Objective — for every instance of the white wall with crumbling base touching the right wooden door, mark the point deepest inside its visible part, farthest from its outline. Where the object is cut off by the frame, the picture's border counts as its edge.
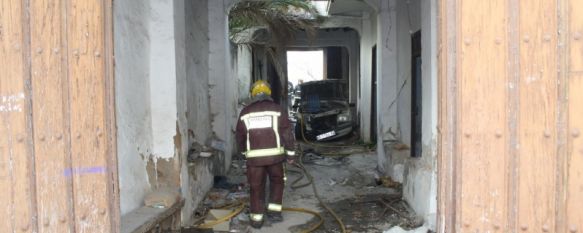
(418, 175)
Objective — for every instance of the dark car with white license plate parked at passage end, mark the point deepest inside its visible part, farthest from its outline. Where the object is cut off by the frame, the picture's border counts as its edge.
(323, 111)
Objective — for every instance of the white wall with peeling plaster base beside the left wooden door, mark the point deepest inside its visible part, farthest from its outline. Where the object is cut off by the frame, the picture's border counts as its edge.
(148, 70)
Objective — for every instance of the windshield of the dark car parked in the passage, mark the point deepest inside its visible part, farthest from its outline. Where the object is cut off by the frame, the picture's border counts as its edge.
(324, 90)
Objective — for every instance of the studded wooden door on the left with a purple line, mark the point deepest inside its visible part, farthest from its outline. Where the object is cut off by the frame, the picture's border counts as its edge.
(58, 170)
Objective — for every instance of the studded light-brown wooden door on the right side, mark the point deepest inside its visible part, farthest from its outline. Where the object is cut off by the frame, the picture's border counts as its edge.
(511, 97)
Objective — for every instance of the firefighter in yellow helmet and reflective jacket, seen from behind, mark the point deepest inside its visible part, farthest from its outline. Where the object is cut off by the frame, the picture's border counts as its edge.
(264, 136)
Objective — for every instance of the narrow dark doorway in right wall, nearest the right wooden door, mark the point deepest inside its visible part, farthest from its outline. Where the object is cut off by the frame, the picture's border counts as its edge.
(416, 89)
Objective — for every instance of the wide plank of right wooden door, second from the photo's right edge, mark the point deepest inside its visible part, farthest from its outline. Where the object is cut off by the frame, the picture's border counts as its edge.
(536, 159)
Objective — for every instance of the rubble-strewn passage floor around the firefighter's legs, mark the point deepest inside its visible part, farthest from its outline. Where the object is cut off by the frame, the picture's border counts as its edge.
(349, 185)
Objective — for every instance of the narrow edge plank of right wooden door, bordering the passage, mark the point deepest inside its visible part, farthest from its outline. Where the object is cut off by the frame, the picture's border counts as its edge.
(447, 116)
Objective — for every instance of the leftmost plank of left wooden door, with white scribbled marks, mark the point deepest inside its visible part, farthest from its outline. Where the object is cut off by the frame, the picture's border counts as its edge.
(16, 153)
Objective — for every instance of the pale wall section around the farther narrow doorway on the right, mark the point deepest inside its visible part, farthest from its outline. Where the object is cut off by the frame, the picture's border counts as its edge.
(379, 29)
